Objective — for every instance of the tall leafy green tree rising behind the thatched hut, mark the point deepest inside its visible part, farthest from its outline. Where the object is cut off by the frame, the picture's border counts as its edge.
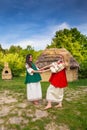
(75, 43)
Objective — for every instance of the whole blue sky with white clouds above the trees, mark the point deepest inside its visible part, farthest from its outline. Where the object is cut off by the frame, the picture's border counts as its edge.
(34, 22)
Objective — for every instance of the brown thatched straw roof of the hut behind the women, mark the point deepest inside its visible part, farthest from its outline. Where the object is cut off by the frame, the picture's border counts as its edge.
(51, 55)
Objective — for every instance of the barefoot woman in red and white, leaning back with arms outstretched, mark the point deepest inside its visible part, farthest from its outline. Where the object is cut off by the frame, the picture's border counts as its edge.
(58, 82)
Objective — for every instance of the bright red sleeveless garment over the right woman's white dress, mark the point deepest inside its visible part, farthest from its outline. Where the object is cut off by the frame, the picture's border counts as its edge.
(59, 79)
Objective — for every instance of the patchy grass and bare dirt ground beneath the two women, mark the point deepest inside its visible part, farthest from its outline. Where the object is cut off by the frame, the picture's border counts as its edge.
(16, 113)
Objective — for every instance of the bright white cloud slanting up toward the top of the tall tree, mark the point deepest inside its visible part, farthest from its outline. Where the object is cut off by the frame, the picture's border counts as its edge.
(41, 41)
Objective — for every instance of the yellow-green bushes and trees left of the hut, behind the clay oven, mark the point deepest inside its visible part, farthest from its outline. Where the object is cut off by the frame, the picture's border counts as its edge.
(16, 56)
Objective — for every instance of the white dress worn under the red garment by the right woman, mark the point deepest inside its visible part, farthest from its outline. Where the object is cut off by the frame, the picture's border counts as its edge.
(55, 94)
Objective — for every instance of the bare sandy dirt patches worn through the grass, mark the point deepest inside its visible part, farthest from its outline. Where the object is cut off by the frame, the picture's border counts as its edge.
(16, 110)
